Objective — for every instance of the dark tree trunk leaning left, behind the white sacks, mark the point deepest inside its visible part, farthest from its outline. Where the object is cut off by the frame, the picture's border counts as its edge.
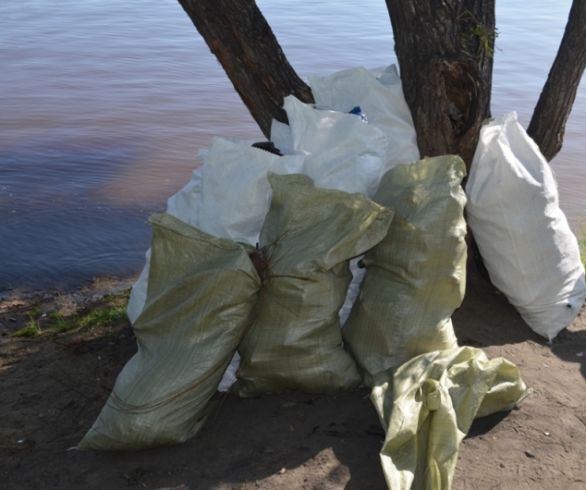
(244, 44)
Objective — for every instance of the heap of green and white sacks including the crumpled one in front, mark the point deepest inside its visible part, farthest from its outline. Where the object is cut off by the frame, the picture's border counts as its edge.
(254, 257)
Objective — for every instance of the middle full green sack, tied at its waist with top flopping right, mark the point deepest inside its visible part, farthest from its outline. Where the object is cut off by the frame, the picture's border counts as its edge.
(308, 236)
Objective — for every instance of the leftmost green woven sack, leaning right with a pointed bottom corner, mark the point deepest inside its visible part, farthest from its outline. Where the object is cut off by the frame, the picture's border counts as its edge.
(201, 294)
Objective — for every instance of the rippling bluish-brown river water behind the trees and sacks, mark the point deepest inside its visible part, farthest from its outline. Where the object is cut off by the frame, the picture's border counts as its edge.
(104, 106)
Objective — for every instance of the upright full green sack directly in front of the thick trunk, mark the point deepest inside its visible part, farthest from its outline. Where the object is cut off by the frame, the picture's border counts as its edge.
(416, 276)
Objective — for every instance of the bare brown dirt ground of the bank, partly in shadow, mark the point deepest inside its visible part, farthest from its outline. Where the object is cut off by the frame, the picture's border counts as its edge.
(52, 388)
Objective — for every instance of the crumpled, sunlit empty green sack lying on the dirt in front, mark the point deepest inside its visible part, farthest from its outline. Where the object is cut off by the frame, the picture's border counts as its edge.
(427, 407)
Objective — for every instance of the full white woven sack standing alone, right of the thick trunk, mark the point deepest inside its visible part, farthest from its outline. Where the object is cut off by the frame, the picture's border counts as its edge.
(530, 252)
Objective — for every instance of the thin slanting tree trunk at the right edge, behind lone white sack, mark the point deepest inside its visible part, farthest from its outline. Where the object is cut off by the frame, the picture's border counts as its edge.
(551, 113)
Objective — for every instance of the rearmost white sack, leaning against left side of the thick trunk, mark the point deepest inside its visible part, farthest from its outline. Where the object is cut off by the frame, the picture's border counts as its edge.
(379, 95)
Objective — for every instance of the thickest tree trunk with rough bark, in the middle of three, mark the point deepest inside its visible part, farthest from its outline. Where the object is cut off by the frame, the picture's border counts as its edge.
(445, 53)
